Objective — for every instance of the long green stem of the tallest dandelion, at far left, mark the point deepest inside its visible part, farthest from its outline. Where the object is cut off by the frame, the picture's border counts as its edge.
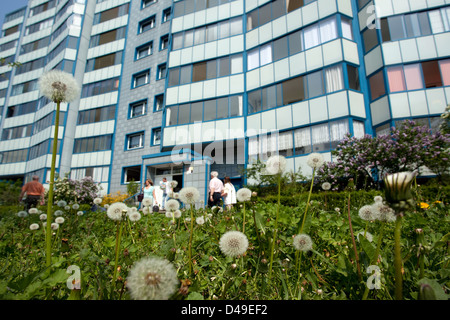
(48, 234)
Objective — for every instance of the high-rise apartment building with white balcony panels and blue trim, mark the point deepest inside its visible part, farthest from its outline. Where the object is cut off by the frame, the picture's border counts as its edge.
(177, 89)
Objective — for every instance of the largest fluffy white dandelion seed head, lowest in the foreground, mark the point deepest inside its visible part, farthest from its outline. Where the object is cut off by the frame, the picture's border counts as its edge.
(152, 279)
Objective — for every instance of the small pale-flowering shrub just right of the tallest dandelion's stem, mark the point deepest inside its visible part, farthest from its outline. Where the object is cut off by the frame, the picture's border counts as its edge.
(79, 191)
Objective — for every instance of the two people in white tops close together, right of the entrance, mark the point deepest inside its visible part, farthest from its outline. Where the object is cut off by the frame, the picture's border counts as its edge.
(219, 190)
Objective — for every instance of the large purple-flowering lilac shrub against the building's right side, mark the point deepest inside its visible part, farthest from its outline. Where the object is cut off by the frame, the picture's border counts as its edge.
(368, 159)
